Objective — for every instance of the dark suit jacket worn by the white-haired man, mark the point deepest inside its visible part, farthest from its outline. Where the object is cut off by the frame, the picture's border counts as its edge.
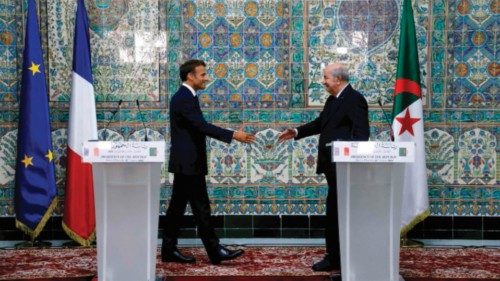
(345, 118)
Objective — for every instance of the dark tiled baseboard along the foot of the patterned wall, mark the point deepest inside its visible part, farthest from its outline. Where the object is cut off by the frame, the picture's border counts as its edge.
(476, 228)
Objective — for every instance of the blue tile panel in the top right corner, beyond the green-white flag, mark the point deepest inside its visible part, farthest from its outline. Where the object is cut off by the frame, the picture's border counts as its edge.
(473, 54)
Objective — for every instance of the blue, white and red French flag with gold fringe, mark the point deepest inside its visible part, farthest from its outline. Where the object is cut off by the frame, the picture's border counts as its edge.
(79, 213)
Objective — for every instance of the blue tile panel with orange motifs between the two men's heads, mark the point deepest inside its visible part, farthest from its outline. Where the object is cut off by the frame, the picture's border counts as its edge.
(246, 45)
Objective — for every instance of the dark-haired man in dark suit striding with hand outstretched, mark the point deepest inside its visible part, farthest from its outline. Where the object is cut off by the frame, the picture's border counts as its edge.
(188, 162)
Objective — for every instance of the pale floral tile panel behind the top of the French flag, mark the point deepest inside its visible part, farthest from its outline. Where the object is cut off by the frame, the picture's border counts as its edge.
(126, 43)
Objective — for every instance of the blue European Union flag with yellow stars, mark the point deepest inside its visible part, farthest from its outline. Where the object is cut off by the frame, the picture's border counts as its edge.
(35, 193)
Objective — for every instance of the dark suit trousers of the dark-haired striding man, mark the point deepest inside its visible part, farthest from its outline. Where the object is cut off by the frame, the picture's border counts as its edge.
(190, 189)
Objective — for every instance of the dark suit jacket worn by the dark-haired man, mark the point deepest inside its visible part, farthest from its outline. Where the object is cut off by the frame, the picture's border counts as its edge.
(188, 131)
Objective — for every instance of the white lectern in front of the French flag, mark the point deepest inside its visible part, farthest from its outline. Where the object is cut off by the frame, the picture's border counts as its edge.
(126, 194)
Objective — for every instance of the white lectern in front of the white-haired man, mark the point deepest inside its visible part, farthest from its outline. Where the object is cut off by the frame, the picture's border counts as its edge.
(369, 193)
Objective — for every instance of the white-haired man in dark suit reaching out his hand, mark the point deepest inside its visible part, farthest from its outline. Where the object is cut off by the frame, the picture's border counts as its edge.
(344, 117)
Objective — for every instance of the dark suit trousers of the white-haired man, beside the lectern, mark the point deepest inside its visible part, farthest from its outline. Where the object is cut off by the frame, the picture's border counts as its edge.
(332, 219)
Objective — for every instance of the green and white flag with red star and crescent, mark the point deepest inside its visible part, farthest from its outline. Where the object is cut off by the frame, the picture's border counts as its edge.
(408, 122)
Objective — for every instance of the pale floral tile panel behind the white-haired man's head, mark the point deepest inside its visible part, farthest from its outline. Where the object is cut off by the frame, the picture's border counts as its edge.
(363, 35)
